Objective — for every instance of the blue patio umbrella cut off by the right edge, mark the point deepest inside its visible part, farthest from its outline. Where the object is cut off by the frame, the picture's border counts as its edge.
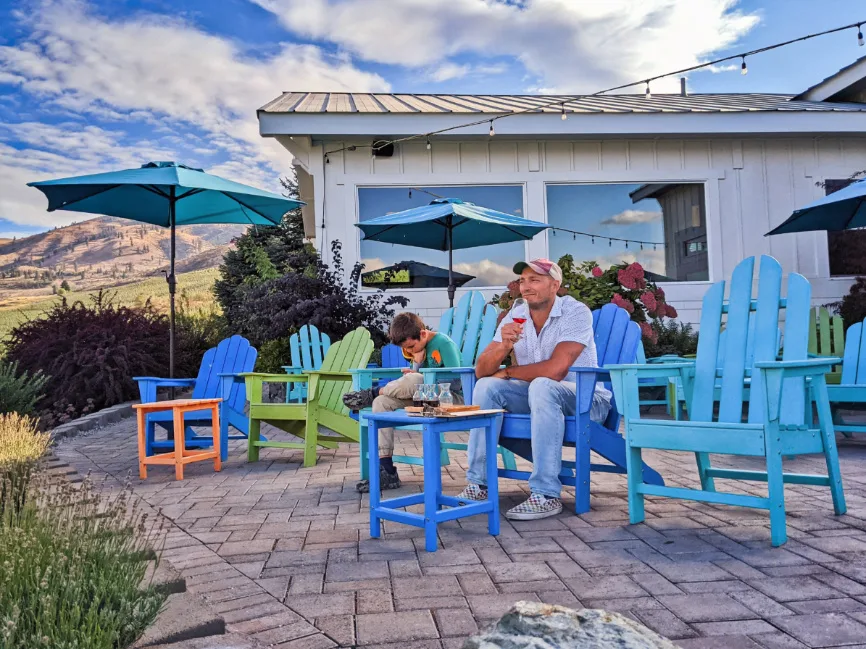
(842, 210)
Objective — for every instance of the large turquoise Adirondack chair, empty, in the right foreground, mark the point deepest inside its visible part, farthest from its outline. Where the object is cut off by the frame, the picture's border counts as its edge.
(780, 399)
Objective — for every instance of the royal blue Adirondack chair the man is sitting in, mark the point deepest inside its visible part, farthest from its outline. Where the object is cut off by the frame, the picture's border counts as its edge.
(616, 339)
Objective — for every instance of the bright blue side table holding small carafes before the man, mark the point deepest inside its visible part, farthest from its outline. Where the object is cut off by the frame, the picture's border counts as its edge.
(432, 497)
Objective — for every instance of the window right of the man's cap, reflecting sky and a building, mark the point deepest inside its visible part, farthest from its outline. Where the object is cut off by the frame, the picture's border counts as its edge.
(661, 225)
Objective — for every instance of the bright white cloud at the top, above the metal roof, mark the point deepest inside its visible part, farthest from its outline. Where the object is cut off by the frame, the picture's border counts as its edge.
(570, 46)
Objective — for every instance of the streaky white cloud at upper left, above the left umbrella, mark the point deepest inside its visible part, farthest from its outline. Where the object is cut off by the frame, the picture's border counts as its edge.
(159, 71)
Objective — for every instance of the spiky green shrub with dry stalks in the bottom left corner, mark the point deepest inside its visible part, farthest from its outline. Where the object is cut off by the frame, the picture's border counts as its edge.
(73, 564)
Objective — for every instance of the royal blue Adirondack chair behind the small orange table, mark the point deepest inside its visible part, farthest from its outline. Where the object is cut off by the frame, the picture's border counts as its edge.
(217, 377)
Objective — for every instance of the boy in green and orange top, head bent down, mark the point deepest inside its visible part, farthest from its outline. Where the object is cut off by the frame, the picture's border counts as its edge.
(424, 348)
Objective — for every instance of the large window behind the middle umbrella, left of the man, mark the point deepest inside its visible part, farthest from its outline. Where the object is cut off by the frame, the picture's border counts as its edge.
(483, 266)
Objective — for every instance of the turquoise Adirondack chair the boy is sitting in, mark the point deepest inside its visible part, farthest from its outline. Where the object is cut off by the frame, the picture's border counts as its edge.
(471, 325)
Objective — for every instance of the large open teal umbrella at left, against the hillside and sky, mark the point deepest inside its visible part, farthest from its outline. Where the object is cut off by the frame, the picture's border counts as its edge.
(166, 194)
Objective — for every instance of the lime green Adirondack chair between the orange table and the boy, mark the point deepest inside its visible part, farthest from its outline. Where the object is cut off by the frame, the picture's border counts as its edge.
(324, 404)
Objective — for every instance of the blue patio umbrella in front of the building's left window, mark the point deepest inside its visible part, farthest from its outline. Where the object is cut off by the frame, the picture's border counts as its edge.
(449, 224)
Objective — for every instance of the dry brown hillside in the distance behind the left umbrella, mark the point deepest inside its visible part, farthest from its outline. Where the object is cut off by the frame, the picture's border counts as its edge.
(102, 252)
